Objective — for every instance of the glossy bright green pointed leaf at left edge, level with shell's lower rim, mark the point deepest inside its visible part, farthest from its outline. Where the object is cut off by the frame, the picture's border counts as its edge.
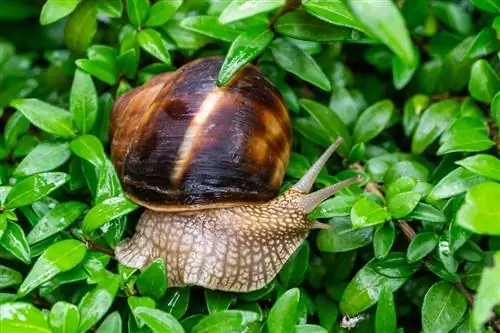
(34, 188)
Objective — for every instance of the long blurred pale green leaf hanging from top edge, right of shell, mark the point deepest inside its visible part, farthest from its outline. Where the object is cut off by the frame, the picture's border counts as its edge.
(383, 19)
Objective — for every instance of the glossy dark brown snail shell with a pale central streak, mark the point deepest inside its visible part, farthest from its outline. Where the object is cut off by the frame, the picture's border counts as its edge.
(181, 143)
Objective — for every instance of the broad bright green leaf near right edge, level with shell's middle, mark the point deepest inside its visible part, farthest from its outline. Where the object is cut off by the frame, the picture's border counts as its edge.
(466, 134)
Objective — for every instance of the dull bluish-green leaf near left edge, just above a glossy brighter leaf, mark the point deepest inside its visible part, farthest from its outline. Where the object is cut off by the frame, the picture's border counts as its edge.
(45, 157)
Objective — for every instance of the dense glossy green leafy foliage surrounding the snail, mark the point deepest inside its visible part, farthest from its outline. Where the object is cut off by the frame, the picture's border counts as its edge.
(411, 85)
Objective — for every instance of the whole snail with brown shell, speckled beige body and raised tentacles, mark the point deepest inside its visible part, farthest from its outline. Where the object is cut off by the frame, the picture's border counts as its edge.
(208, 163)
